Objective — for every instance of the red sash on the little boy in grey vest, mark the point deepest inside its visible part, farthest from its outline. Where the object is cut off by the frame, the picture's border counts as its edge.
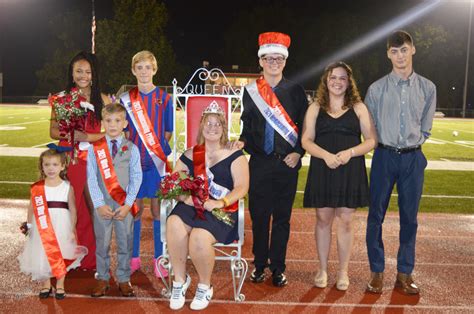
(107, 171)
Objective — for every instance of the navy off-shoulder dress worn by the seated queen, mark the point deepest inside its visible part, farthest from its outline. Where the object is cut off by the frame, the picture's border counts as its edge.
(223, 176)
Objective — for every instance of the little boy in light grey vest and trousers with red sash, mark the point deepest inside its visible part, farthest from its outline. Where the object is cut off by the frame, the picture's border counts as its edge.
(114, 176)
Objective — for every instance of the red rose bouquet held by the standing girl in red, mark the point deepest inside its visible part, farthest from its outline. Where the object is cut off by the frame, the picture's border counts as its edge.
(70, 109)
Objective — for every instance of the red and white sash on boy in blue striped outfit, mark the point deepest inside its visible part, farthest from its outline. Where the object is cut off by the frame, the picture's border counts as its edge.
(138, 114)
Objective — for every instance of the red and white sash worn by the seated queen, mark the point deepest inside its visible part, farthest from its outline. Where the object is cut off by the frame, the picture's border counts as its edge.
(215, 190)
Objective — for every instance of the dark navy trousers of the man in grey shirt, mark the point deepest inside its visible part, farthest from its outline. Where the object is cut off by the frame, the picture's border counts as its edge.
(407, 170)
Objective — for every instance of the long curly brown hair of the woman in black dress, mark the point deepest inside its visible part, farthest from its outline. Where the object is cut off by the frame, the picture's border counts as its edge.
(351, 96)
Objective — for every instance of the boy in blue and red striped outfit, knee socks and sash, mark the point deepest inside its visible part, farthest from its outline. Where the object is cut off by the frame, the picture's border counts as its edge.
(150, 117)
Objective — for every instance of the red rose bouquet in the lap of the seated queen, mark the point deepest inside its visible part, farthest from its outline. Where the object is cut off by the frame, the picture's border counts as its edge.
(180, 183)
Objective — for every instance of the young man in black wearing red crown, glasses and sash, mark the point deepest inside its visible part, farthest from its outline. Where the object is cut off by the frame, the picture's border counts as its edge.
(273, 115)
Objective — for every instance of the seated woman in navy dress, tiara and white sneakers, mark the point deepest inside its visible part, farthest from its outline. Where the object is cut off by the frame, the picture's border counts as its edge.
(227, 173)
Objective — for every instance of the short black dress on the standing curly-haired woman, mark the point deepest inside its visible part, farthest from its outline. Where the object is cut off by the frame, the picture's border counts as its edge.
(347, 185)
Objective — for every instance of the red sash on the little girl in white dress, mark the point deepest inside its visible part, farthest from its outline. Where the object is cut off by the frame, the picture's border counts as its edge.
(46, 230)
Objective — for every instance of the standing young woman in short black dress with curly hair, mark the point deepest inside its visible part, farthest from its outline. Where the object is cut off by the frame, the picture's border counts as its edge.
(337, 179)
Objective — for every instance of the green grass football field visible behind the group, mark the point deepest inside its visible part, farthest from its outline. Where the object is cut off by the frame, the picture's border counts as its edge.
(445, 191)
